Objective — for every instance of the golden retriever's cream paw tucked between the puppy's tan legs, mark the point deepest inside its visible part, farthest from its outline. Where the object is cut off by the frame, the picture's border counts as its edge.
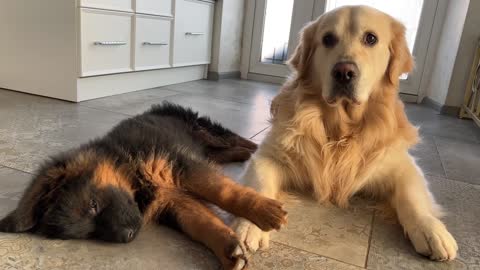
(251, 237)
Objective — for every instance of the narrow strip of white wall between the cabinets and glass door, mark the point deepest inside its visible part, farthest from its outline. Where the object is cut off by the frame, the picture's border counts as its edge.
(227, 37)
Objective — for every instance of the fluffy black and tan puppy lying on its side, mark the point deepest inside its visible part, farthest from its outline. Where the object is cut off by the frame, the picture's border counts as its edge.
(158, 167)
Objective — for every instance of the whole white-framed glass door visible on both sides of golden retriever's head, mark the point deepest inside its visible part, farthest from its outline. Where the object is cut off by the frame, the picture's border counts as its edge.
(277, 23)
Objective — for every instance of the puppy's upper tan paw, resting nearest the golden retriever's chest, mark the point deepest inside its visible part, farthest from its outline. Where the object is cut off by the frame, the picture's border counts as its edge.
(268, 214)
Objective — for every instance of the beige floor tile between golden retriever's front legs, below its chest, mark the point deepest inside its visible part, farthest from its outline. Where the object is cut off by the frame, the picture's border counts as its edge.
(327, 230)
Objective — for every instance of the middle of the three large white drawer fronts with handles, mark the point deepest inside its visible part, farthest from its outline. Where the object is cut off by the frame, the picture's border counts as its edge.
(152, 42)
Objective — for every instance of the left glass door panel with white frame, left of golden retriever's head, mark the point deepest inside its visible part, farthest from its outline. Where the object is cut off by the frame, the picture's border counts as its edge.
(275, 30)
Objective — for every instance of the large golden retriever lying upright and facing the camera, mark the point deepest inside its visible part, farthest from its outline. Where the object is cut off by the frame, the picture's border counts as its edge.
(339, 128)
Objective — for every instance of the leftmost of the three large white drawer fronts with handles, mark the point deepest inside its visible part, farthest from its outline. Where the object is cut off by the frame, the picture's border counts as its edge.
(105, 42)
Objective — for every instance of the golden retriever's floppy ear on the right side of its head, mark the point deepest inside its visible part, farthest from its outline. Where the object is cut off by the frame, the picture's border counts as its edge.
(401, 60)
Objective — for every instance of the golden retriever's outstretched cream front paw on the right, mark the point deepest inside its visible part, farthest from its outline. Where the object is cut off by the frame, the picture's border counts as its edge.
(431, 238)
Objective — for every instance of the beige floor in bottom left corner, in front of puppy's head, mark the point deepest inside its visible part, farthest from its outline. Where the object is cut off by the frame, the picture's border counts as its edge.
(155, 248)
